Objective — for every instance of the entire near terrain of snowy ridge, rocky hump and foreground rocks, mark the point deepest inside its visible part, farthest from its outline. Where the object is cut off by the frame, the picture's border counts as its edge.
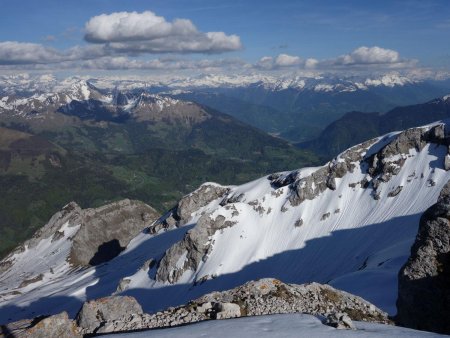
(286, 242)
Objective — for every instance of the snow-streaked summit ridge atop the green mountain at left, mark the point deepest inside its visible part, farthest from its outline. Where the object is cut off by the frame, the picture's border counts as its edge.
(84, 100)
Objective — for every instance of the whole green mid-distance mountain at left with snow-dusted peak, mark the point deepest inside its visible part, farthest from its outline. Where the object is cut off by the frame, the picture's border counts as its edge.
(95, 146)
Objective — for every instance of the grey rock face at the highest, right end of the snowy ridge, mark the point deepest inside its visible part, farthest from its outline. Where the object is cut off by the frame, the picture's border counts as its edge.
(383, 164)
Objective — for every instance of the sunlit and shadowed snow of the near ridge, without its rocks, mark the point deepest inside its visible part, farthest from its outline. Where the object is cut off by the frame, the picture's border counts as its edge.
(346, 238)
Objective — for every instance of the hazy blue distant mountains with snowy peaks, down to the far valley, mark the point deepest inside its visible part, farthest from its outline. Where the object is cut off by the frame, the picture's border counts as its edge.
(296, 108)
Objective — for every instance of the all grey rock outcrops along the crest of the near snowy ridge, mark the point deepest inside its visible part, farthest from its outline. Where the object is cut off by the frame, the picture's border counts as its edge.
(380, 160)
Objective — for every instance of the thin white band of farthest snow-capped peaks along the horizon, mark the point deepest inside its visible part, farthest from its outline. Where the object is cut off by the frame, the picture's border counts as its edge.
(25, 83)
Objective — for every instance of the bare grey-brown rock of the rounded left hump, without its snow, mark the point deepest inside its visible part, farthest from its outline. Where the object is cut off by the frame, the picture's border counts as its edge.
(102, 232)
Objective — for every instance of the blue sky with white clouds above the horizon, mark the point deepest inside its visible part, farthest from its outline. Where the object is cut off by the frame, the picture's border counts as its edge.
(198, 36)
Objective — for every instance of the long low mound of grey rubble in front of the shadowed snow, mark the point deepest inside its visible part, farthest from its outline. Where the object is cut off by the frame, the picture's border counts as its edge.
(266, 296)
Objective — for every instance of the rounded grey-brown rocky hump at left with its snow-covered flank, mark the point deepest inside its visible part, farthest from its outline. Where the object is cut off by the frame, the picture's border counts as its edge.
(78, 238)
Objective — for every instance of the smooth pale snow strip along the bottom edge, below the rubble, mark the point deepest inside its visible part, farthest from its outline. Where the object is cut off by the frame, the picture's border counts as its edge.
(287, 325)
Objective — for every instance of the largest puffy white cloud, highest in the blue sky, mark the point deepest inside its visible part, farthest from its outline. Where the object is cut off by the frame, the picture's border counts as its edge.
(132, 32)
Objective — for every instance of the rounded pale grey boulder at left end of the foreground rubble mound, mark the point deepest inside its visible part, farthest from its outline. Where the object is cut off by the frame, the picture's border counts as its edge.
(96, 313)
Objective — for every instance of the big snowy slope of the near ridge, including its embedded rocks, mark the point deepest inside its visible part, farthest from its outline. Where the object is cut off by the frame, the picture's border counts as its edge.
(355, 236)
